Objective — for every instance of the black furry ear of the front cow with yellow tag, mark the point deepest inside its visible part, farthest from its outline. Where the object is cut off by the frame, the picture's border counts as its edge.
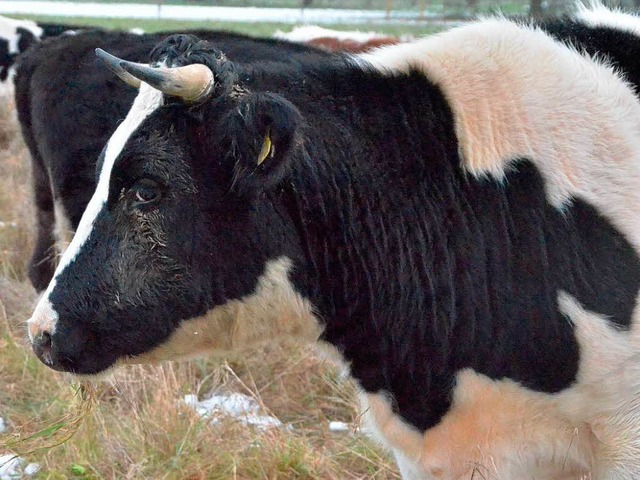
(263, 132)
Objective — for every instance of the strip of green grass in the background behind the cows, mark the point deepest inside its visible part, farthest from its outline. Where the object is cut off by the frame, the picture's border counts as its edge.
(254, 29)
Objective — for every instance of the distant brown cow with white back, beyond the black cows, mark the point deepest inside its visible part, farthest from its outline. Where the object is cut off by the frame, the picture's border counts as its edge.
(337, 40)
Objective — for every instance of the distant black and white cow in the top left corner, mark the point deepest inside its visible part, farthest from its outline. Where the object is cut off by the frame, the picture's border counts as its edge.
(16, 36)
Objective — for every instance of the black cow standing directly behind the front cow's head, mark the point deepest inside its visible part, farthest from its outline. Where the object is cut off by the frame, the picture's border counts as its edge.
(59, 86)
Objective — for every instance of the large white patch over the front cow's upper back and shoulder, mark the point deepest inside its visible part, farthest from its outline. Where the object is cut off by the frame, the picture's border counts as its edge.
(517, 93)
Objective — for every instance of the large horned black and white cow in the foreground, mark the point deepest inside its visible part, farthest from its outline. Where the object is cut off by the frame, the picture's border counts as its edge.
(457, 217)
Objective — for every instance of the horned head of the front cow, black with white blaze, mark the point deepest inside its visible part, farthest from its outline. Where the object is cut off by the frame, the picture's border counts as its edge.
(184, 246)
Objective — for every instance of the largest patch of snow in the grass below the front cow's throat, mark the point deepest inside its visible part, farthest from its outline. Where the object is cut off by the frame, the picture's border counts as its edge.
(235, 405)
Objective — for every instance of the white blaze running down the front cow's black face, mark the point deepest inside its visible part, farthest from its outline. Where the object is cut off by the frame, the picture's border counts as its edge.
(147, 101)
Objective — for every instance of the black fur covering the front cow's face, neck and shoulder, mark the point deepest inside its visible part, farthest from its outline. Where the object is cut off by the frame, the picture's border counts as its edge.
(417, 269)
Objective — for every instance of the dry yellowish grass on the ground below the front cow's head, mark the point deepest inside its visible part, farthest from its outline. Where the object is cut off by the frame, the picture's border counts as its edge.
(139, 428)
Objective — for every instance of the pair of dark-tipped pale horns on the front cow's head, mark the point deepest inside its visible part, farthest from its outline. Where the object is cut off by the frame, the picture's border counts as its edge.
(192, 82)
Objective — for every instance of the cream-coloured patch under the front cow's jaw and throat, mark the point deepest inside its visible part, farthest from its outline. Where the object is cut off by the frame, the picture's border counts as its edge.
(274, 311)
